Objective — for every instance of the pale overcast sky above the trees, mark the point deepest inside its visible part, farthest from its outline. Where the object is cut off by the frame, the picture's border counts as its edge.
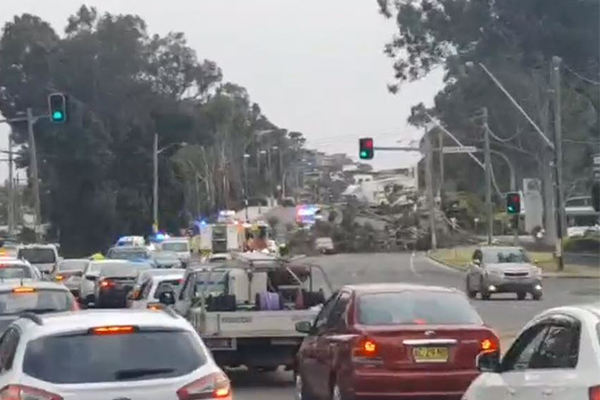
(313, 66)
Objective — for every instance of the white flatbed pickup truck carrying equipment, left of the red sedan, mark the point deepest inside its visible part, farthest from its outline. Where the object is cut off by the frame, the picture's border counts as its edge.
(246, 309)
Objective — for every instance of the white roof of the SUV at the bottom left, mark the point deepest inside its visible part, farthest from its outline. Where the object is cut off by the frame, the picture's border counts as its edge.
(66, 322)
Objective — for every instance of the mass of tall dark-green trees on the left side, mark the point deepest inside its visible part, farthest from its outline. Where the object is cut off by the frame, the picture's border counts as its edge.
(125, 85)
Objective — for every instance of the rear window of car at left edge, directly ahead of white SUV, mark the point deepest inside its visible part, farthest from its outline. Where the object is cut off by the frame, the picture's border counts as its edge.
(38, 301)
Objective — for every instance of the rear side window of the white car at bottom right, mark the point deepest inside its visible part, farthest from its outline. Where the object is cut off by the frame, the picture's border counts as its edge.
(559, 349)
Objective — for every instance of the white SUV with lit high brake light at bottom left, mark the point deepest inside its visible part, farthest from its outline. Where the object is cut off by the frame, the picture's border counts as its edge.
(99, 355)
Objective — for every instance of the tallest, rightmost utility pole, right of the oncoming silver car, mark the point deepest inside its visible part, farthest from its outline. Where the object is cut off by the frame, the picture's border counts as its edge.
(558, 161)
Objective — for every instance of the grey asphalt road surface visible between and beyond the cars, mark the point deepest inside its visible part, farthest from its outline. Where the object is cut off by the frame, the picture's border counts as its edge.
(504, 313)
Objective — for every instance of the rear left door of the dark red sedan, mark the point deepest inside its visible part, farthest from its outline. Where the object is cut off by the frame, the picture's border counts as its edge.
(326, 345)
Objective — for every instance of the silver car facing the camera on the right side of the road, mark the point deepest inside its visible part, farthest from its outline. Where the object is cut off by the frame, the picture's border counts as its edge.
(496, 269)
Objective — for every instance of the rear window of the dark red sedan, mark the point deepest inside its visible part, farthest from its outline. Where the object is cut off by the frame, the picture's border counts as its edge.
(416, 308)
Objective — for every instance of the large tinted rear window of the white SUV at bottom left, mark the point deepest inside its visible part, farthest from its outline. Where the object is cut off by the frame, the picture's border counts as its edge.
(90, 358)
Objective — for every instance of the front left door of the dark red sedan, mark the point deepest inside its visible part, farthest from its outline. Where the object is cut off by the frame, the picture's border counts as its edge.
(308, 367)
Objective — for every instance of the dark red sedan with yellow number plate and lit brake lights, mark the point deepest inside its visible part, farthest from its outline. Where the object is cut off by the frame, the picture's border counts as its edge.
(389, 341)
